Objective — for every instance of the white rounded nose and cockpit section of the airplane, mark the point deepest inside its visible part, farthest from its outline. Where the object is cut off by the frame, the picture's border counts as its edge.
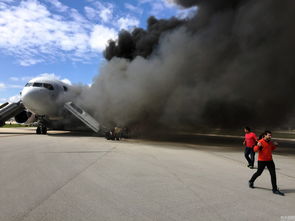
(43, 96)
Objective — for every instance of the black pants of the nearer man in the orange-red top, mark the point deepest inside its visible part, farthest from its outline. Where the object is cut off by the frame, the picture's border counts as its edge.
(272, 170)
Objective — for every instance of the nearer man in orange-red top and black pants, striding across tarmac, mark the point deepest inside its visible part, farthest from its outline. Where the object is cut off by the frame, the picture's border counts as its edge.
(265, 146)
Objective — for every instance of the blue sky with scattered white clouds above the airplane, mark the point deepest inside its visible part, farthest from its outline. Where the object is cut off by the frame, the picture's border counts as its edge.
(64, 39)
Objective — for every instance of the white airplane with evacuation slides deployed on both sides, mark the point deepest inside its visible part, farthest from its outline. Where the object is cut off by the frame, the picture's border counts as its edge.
(49, 102)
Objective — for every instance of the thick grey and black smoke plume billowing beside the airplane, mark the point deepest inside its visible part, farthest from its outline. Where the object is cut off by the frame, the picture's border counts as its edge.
(230, 65)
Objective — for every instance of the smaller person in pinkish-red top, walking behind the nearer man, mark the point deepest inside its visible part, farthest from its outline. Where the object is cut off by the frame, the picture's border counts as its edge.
(249, 142)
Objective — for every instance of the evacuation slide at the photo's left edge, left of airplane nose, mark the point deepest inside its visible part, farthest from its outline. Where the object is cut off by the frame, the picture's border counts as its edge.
(8, 111)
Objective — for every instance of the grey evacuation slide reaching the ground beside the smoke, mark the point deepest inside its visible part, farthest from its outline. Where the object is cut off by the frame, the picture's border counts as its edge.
(82, 115)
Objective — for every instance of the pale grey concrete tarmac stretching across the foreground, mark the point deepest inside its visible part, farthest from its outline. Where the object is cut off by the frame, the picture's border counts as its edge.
(69, 177)
